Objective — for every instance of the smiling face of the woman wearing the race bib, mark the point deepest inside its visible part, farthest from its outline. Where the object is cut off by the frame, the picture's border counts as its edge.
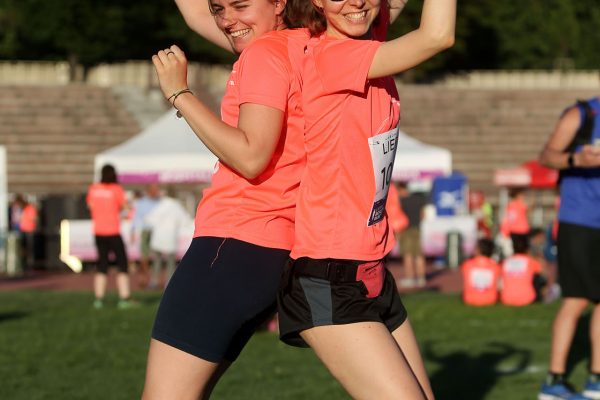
(349, 18)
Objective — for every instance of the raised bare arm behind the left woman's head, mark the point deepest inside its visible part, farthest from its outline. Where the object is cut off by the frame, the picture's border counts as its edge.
(198, 17)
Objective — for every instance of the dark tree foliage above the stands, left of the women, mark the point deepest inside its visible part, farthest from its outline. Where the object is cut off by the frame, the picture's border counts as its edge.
(90, 32)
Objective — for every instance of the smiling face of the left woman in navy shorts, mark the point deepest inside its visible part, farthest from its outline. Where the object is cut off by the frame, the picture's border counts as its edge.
(242, 21)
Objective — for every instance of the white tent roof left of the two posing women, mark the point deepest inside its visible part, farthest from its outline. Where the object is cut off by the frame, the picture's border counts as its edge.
(167, 151)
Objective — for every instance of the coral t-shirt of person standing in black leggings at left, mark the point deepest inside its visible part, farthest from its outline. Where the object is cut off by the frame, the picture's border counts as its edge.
(105, 201)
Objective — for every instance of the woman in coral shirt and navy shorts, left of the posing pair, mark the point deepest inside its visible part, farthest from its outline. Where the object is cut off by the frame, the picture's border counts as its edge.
(226, 284)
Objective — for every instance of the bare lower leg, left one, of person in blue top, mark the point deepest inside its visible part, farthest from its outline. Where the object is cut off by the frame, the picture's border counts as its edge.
(563, 330)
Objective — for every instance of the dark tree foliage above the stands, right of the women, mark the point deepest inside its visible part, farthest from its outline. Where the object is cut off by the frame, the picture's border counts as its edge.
(515, 34)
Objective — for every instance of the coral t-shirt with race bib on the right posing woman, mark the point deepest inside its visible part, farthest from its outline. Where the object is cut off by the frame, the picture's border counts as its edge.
(350, 139)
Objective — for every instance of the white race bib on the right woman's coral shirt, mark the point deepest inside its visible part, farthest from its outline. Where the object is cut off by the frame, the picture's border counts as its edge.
(383, 152)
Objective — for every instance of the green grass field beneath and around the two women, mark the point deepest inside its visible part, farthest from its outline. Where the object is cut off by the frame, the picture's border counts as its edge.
(53, 345)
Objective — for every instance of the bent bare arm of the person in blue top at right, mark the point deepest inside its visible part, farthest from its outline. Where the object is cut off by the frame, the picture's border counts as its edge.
(554, 154)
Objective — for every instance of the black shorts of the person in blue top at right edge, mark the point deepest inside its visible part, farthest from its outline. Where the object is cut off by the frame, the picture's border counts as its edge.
(579, 261)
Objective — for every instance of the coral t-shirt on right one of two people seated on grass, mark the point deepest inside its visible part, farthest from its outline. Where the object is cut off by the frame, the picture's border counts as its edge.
(517, 280)
